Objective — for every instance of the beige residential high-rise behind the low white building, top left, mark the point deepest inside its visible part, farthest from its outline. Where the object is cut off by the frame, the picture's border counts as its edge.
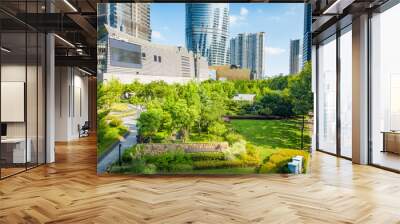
(130, 18)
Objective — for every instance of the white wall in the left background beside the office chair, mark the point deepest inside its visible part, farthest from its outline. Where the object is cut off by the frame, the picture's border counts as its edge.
(71, 102)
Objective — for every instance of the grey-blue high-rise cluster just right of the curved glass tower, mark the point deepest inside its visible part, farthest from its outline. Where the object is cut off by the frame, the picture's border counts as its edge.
(247, 51)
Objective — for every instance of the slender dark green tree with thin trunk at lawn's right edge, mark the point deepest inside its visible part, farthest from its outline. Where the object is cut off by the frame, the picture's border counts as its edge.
(301, 95)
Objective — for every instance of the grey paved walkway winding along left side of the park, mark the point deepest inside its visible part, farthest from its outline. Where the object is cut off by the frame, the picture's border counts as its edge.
(130, 140)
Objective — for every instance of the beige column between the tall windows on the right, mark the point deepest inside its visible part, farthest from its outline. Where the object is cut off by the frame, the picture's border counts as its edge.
(360, 89)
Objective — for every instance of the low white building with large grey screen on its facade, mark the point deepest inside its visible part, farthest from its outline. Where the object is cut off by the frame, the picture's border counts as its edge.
(129, 58)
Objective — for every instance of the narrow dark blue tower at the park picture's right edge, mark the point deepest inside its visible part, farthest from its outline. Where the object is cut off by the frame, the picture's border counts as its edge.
(307, 40)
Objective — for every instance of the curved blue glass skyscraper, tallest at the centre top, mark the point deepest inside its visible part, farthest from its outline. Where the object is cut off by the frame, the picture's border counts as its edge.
(207, 31)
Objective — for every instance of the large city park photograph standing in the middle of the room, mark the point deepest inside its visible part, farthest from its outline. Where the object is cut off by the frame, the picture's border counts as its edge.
(226, 90)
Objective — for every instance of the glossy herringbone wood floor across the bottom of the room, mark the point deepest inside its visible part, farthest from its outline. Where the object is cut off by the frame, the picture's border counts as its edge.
(70, 192)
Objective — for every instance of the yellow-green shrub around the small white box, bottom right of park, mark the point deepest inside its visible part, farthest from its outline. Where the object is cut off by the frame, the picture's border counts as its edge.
(277, 162)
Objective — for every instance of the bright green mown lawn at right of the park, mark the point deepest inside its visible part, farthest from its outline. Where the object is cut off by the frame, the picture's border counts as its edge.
(272, 134)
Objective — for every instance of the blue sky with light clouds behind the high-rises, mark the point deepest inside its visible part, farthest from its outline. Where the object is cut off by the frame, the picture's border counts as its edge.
(280, 22)
